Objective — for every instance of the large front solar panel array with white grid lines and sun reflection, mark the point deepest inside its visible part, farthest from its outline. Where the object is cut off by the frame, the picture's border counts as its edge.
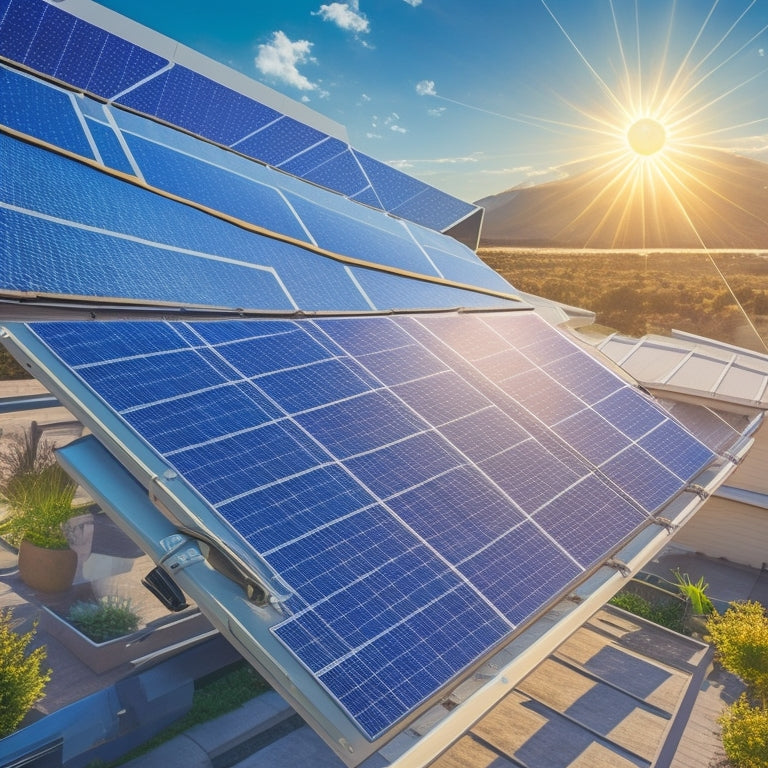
(424, 485)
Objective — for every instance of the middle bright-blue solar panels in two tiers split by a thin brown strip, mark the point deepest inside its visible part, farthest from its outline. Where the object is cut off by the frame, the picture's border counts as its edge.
(113, 239)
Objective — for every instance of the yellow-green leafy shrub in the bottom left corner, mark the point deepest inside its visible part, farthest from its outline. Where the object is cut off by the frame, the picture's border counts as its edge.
(22, 679)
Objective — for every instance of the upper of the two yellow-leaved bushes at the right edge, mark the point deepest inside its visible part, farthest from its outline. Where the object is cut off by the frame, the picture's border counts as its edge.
(740, 636)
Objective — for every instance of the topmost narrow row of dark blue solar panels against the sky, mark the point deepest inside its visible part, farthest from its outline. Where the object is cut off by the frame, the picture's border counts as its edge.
(56, 43)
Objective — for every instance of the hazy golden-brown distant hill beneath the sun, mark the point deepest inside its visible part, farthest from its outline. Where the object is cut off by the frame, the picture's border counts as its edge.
(723, 203)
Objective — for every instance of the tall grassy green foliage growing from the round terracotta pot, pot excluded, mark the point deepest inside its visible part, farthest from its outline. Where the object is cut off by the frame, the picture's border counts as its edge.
(38, 492)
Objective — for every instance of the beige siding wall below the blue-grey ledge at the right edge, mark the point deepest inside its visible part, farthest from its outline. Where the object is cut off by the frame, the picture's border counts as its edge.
(721, 528)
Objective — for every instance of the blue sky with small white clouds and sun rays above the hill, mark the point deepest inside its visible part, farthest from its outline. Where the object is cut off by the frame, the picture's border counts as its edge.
(479, 97)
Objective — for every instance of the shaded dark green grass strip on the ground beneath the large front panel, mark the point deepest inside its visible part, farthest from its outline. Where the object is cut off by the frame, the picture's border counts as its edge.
(214, 696)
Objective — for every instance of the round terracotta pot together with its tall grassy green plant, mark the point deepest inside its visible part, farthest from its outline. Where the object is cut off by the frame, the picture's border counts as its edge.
(38, 494)
